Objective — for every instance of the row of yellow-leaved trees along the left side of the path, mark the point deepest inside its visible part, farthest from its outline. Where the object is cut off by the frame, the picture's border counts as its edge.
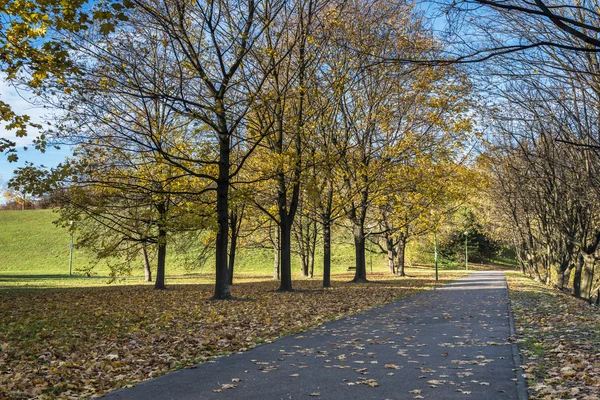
(274, 114)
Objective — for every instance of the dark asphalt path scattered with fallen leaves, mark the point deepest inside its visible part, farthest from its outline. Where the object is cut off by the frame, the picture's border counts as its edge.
(449, 343)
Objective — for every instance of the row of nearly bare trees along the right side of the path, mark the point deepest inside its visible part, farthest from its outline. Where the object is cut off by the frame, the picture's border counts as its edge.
(546, 123)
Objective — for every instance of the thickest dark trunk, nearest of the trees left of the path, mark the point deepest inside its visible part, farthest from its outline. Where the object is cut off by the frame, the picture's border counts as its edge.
(221, 261)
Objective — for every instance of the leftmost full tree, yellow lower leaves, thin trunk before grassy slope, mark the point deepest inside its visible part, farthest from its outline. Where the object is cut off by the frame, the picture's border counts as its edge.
(119, 181)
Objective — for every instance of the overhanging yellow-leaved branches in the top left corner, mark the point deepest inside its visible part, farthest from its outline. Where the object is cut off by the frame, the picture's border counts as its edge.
(33, 49)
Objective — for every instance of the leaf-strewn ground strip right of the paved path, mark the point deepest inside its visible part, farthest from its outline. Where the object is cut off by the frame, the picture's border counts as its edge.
(559, 338)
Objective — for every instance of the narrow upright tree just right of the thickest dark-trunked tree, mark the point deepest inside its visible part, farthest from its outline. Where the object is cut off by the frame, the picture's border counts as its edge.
(288, 53)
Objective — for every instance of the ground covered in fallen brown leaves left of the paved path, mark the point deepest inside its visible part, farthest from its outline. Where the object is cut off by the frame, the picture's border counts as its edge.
(84, 342)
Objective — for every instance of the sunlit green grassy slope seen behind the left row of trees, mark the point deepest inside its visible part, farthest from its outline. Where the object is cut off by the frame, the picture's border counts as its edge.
(32, 247)
